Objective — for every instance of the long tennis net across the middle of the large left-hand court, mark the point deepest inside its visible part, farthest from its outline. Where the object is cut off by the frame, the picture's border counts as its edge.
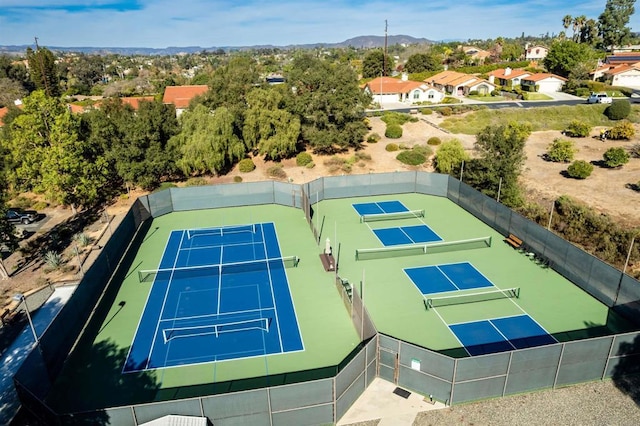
(149, 275)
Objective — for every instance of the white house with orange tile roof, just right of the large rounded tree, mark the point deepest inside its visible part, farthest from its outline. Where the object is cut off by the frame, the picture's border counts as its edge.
(385, 90)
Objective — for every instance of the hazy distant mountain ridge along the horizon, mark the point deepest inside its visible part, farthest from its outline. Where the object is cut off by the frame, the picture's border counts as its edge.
(359, 42)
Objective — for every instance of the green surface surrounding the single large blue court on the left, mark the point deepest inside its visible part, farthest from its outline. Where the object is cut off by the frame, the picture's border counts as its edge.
(327, 332)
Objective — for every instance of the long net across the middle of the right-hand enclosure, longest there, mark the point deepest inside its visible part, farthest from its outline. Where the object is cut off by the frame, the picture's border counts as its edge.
(414, 249)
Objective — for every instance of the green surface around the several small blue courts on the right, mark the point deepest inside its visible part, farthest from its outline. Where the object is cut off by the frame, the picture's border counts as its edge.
(396, 305)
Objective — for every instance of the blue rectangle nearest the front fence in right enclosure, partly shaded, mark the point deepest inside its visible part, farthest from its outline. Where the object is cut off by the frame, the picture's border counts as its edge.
(501, 334)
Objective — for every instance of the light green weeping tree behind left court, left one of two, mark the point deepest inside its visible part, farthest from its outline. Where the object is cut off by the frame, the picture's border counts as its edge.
(207, 142)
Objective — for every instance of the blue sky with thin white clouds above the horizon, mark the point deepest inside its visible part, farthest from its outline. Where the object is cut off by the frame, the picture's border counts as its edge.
(229, 23)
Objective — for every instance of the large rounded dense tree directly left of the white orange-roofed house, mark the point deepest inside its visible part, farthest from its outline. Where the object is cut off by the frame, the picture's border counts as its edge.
(328, 102)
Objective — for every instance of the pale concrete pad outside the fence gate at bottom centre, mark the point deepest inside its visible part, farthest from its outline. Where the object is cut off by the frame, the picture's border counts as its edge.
(379, 402)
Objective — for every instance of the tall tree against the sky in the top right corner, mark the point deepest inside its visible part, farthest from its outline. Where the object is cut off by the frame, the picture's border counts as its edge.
(613, 22)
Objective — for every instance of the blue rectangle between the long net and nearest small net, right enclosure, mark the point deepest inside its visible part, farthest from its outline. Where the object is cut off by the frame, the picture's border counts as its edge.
(448, 277)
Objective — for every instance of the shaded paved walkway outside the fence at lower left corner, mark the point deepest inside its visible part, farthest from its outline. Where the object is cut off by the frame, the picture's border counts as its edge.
(13, 357)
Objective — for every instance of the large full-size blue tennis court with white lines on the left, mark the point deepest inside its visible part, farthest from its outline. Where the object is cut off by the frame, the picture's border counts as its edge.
(219, 294)
